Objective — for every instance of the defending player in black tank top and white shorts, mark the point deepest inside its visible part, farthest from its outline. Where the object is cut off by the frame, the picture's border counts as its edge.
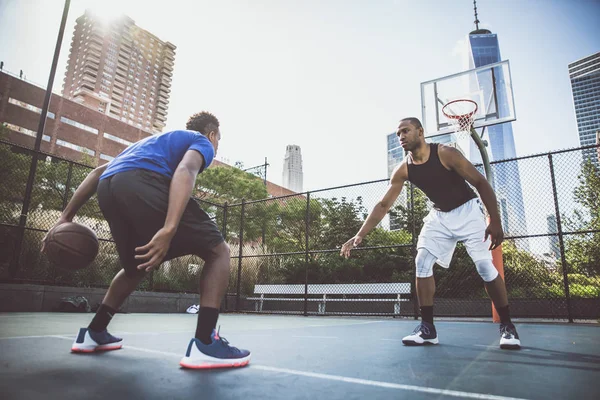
(442, 172)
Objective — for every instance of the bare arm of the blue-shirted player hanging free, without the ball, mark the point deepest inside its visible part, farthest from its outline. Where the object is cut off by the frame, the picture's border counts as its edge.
(180, 191)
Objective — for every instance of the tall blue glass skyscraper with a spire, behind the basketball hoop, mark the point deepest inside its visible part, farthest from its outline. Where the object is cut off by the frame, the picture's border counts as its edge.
(484, 49)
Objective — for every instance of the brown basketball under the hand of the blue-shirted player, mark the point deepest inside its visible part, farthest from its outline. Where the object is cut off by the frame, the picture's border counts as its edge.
(71, 246)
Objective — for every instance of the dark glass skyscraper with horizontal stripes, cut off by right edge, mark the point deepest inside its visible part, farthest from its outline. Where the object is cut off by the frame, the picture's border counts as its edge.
(585, 84)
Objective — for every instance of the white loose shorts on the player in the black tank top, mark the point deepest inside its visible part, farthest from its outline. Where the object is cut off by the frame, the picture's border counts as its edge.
(442, 230)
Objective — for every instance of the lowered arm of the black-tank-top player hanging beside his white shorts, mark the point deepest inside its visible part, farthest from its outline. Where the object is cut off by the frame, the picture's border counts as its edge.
(453, 159)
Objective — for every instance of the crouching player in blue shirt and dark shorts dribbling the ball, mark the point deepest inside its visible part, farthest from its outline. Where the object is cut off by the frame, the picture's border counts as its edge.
(145, 195)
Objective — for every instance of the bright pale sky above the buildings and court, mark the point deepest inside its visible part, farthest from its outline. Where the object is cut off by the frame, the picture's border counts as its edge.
(333, 77)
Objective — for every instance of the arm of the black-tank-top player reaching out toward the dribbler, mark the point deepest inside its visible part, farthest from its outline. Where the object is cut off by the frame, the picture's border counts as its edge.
(399, 176)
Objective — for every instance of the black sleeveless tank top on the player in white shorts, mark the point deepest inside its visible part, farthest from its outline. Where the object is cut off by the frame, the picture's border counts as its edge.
(445, 188)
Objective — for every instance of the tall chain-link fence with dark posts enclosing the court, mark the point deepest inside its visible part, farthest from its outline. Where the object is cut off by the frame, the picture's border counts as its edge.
(285, 250)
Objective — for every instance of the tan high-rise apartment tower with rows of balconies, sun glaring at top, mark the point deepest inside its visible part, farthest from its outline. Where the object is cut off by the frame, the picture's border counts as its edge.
(120, 70)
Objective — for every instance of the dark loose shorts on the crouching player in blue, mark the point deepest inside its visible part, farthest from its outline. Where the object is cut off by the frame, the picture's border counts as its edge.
(135, 205)
